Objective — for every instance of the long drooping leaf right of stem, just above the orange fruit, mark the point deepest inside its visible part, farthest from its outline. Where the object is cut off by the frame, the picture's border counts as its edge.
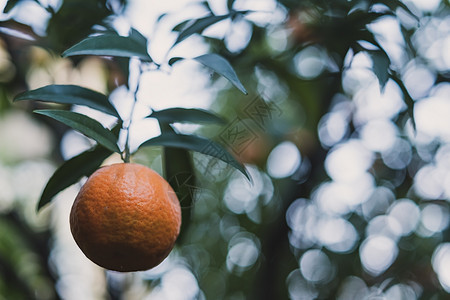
(198, 144)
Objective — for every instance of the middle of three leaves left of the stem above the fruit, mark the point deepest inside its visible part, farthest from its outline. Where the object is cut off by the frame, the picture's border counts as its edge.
(84, 124)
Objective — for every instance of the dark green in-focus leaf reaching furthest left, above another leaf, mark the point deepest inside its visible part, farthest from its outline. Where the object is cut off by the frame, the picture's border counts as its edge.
(70, 94)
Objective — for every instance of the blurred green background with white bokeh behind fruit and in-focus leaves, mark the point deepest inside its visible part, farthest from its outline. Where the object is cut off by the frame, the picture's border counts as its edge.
(350, 160)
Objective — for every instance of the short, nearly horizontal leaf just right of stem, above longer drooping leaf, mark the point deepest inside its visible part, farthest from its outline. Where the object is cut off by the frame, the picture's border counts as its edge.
(186, 115)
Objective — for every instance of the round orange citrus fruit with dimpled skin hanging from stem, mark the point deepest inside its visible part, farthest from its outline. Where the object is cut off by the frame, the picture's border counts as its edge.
(126, 218)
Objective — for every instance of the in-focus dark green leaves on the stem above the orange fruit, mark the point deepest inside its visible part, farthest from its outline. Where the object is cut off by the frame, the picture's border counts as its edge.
(176, 145)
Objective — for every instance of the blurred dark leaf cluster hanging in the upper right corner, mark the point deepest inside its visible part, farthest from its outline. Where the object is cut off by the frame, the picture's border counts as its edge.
(341, 27)
